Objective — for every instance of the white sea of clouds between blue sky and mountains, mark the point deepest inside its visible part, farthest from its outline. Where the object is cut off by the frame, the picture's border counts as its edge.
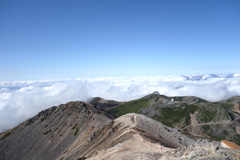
(20, 100)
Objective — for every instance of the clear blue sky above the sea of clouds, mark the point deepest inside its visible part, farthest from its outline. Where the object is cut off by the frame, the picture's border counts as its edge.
(44, 39)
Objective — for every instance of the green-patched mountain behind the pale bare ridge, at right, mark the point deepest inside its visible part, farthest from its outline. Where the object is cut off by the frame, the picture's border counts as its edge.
(190, 115)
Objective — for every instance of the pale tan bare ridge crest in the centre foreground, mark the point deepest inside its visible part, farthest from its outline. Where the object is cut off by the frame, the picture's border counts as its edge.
(141, 137)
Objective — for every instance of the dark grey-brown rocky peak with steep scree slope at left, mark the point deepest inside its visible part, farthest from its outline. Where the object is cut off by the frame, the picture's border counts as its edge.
(52, 132)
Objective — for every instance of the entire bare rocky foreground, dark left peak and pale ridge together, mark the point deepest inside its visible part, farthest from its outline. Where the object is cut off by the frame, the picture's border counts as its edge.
(78, 131)
